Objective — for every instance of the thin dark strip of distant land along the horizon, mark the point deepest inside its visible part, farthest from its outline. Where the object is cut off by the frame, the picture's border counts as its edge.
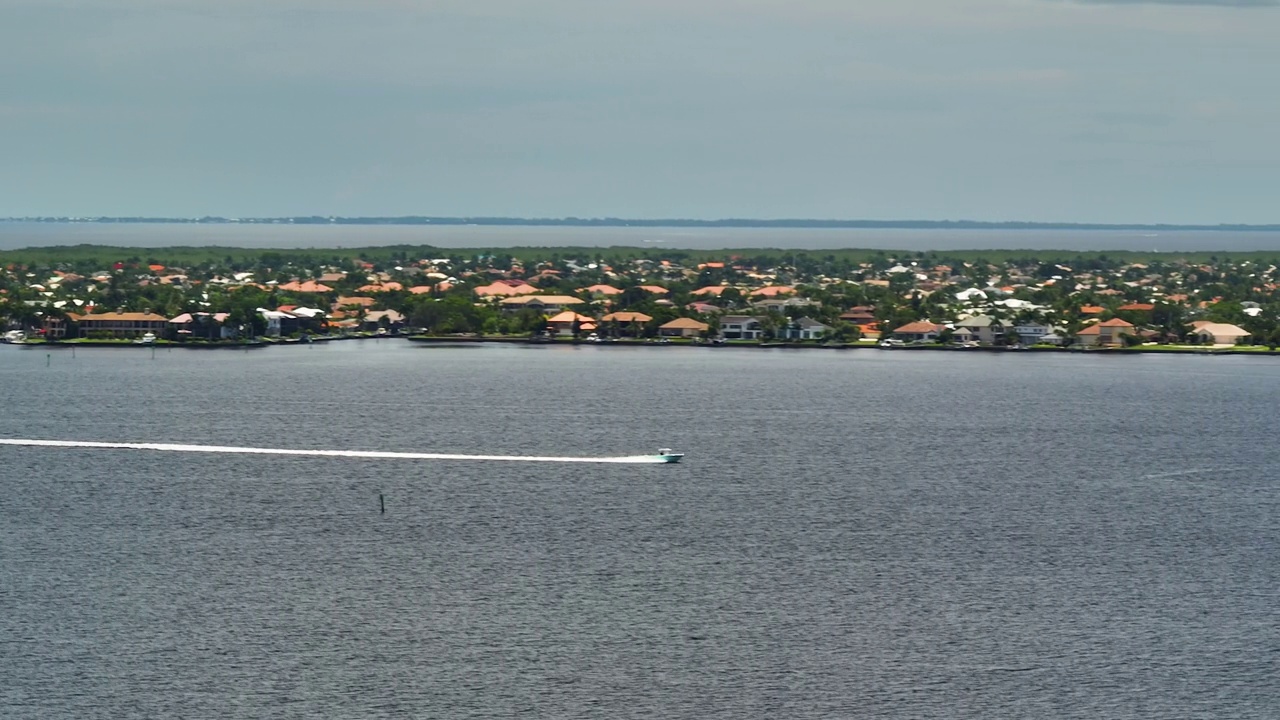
(651, 224)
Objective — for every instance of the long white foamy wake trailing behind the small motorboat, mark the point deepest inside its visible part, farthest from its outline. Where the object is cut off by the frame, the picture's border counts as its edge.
(365, 454)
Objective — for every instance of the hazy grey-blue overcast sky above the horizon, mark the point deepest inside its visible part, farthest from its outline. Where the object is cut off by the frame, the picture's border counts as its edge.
(1049, 111)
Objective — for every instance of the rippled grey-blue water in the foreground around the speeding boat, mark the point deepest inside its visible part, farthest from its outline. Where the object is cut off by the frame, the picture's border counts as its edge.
(853, 535)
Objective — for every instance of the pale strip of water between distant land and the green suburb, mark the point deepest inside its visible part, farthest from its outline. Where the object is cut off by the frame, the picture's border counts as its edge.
(42, 235)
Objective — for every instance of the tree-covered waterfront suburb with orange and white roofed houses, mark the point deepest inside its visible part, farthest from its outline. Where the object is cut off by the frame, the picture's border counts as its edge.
(968, 300)
